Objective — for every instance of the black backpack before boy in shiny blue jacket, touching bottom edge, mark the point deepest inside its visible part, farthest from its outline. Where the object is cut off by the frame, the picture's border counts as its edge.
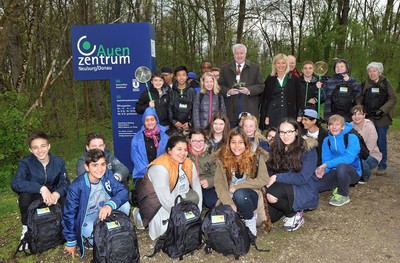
(115, 240)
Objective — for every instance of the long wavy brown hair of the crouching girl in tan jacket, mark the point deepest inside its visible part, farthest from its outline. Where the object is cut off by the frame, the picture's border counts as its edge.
(247, 163)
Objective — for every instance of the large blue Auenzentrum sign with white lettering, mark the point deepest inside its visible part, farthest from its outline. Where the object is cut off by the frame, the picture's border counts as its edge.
(113, 52)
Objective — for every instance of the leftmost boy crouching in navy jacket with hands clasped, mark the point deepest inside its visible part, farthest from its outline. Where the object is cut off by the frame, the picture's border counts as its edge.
(39, 175)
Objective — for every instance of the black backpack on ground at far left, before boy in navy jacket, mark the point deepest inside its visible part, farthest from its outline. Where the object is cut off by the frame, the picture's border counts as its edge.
(44, 228)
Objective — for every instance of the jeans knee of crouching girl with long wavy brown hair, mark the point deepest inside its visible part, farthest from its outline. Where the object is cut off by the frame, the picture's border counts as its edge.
(246, 201)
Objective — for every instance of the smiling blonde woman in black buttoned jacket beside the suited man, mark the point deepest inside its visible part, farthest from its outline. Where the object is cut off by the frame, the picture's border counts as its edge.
(281, 96)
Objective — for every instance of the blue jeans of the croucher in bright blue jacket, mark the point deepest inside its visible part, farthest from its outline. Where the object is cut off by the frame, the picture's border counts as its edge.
(344, 176)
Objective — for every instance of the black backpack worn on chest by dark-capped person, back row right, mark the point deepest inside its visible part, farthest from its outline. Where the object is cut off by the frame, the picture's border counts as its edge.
(342, 100)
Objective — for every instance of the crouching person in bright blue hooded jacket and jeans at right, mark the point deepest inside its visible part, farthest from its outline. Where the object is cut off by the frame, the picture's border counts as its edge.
(341, 166)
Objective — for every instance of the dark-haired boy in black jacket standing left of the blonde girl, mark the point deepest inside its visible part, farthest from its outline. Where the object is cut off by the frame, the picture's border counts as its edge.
(181, 101)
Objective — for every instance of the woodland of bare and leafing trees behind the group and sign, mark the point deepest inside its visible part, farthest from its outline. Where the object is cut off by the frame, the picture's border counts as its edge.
(37, 90)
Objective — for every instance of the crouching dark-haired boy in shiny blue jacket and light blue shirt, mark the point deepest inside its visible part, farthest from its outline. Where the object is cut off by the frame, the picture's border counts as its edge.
(95, 194)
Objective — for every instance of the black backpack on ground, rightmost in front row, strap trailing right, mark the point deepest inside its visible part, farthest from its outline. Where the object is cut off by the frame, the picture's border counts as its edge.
(226, 233)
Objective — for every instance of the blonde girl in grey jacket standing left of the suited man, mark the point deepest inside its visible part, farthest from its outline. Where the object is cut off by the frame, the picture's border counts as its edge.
(207, 101)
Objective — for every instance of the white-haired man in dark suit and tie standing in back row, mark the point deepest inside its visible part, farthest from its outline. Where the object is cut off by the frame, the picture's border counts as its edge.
(241, 84)
